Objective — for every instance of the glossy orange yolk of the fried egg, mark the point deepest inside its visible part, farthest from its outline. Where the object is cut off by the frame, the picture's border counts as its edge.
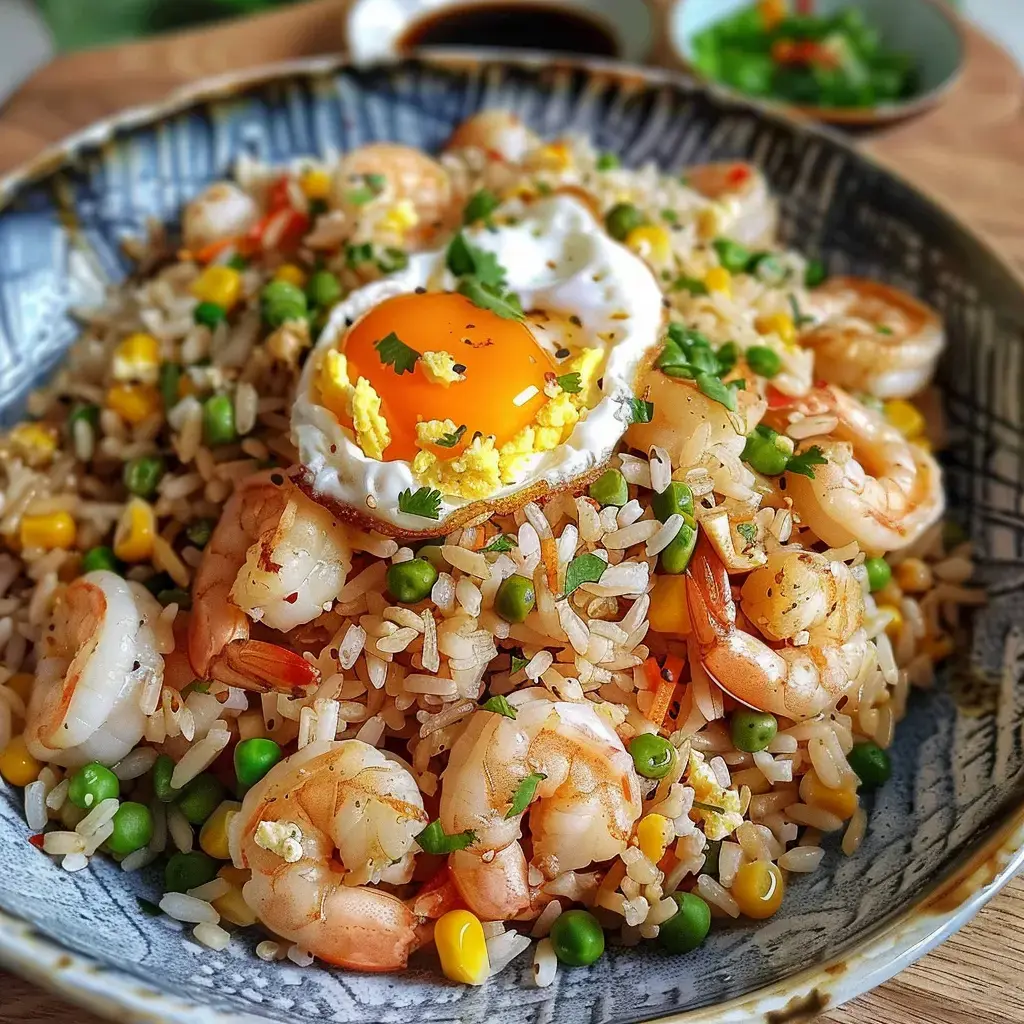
(503, 365)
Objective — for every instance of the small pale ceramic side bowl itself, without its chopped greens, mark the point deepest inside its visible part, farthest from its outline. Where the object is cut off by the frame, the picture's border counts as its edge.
(928, 30)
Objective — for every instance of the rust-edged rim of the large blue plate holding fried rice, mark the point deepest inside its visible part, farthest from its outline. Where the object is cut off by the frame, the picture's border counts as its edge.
(995, 858)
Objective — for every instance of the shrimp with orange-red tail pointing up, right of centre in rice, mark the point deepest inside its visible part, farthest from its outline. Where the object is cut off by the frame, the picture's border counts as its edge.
(795, 682)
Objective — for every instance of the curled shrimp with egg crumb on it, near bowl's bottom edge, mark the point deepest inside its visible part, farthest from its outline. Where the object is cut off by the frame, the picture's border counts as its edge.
(318, 832)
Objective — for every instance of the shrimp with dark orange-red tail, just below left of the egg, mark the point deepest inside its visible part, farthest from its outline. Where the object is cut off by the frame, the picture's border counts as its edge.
(276, 558)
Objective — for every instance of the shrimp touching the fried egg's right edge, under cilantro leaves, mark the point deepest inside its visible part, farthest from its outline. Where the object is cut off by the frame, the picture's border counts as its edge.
(681, 410)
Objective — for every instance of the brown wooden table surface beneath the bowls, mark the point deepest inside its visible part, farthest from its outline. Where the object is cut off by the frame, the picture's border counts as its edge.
(969, 153)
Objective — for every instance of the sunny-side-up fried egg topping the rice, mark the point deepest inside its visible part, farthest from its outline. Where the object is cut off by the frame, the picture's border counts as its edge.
(415, 388)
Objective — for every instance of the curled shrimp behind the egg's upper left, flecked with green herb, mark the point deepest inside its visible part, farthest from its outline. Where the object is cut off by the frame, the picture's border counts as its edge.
(410, 177)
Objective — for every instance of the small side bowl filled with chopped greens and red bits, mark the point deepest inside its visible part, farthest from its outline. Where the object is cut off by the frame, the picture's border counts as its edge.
(845, 62)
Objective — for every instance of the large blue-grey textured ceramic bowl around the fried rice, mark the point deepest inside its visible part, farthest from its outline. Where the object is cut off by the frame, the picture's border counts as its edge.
(945, 833)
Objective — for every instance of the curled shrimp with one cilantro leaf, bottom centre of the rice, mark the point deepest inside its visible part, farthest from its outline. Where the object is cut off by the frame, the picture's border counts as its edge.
(584, 809)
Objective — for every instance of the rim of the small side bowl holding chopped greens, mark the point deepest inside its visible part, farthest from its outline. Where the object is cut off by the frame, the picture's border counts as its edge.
(852, 116)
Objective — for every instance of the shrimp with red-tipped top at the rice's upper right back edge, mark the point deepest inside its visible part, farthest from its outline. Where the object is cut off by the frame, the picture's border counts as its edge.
(747, 211)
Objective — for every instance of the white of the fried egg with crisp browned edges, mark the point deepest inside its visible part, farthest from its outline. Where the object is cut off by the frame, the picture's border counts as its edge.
(592, 278)
